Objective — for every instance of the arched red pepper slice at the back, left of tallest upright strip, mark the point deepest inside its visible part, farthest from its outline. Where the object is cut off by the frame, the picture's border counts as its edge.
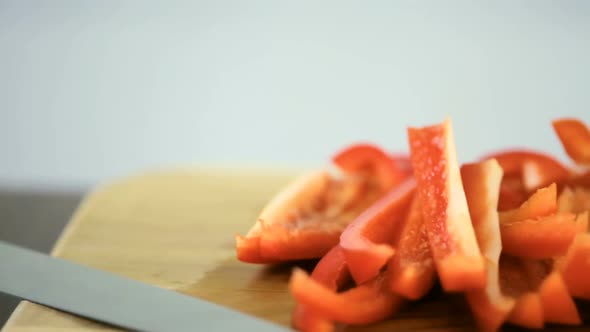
(371, 159)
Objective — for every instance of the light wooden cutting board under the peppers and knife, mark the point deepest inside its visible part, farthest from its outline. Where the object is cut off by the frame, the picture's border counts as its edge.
(176, 230)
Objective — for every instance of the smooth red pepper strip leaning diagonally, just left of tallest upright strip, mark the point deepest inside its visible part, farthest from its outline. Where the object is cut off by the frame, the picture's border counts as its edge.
(366, 241)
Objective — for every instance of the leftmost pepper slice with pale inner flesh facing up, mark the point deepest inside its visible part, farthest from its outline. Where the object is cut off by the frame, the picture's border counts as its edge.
(271, 239)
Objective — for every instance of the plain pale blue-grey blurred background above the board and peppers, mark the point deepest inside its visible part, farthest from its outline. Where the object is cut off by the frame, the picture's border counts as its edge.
(95, 90)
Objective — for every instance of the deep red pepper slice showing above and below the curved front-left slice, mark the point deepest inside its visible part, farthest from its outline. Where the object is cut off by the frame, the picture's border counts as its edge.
(330, 271)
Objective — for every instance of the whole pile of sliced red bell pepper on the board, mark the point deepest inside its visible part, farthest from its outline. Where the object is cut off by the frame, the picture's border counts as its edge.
(509, 231)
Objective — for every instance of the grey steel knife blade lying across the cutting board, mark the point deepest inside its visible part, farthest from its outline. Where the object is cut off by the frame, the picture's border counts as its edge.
(112, 299)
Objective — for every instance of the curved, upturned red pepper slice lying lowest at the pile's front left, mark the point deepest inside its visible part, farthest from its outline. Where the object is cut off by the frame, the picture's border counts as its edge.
(365, 304)
